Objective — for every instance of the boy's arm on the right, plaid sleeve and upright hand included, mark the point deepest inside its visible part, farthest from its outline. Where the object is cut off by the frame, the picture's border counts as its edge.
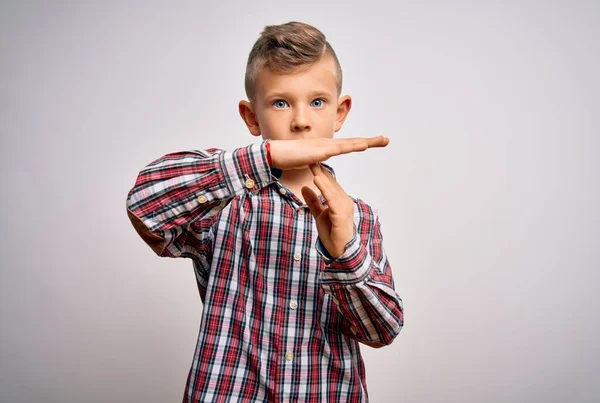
(357, 272)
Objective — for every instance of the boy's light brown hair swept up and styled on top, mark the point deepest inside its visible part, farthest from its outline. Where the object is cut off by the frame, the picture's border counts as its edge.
(288, 48)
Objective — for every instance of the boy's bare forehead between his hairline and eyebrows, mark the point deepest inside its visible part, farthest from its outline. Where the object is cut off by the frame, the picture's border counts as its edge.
(321, 76)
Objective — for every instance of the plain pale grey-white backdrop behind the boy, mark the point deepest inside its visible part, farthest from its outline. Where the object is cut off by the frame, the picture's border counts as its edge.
(488, 192)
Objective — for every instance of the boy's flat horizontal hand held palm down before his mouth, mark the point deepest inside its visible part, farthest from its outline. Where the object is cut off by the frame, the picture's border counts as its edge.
(292, 154)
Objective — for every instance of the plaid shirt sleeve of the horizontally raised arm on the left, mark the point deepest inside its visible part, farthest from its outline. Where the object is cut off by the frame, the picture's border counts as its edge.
(174, 197)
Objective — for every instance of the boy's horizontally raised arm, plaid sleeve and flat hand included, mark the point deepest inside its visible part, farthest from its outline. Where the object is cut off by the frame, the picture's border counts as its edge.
(182, 188)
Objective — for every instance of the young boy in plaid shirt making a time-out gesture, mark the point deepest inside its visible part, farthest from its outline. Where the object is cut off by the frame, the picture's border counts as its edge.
(290, 269)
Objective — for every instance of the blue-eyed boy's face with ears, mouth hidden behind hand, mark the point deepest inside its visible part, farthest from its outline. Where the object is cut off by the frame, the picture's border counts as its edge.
(302, 104)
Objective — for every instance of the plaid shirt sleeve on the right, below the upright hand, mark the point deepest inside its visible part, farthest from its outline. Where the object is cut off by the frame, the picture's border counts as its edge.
(361, 284)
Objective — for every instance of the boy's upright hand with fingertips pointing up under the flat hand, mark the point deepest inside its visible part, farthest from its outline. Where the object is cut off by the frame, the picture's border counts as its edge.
(335, 223)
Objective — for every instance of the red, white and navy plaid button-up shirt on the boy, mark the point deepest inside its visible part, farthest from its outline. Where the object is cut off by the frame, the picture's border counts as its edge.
(281, 320)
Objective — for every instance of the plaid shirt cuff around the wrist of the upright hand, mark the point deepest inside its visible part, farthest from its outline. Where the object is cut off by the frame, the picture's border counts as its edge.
(351, 267)
